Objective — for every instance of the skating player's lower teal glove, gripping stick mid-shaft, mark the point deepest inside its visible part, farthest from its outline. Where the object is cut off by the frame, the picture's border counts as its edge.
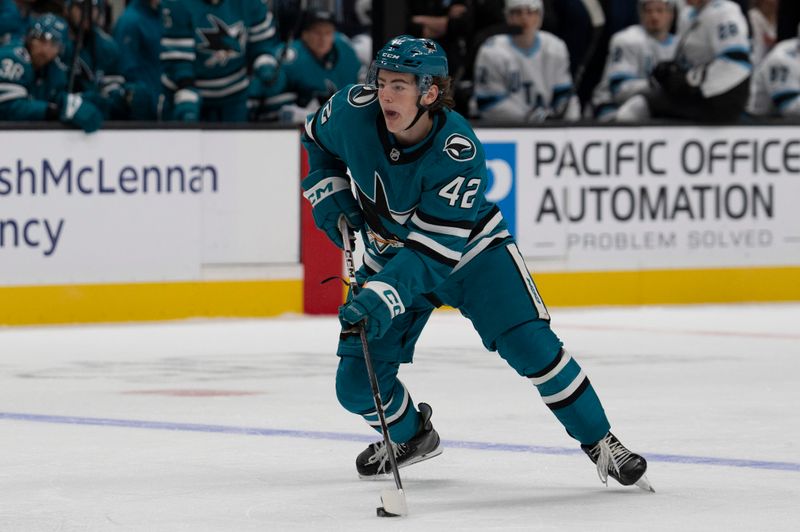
(372, 309)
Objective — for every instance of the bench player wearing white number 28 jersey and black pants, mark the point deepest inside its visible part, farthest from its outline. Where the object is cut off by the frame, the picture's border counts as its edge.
(710, 76)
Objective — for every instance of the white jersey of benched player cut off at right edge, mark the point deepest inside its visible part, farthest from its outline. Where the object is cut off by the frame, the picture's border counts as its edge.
(775, 88)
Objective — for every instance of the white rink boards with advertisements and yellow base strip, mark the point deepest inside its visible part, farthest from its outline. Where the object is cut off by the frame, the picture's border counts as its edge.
(163, 224)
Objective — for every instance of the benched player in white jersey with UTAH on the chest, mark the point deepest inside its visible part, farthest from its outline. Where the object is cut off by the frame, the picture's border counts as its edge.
(525, 77)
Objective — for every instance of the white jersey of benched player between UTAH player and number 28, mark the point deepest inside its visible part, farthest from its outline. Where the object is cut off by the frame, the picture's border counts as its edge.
(632, 54)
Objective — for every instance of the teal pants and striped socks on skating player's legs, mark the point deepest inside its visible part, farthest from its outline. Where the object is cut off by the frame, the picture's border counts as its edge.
(498, 295)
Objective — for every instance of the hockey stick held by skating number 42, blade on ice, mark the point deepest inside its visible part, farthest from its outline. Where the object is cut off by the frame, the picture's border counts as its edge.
(394, 501)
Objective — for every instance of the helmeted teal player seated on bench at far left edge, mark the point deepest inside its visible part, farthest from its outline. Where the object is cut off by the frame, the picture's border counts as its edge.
(33, 81)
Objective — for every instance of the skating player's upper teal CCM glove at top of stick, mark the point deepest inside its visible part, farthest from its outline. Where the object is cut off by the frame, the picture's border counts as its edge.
(331, 198)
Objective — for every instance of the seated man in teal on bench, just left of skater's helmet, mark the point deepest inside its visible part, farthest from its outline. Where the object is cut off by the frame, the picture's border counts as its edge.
(321, 62)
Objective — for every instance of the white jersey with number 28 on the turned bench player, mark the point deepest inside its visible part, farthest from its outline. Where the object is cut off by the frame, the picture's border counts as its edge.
(714, 45)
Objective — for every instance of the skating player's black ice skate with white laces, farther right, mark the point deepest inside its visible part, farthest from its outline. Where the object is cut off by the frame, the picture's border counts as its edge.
(613, 459)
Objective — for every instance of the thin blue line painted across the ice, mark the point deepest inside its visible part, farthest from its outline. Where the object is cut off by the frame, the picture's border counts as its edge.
(343, 436)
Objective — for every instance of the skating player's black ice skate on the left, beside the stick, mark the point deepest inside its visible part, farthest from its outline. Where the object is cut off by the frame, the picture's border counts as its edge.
(373, 462)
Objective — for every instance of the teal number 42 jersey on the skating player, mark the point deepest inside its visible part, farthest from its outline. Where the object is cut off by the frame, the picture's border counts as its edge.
(425, 207)
